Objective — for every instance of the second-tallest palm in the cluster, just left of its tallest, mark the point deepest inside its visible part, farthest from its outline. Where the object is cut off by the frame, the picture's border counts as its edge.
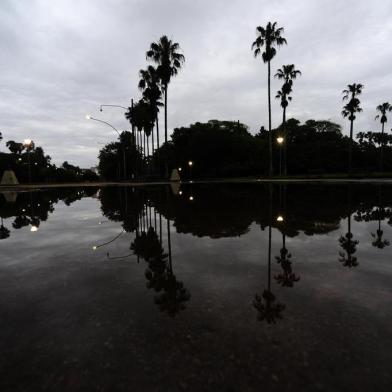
(150, 85)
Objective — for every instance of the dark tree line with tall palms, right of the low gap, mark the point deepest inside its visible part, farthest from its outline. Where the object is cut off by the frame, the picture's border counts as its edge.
(371, 147)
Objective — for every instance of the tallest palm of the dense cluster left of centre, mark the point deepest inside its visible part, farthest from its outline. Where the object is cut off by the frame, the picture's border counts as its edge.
(165, 53)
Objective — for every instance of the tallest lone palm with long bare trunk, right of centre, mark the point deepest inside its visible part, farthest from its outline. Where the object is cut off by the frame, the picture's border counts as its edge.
(268, 37)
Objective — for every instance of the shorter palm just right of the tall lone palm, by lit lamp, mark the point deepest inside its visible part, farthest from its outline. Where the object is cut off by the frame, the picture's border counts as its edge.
(287, 73)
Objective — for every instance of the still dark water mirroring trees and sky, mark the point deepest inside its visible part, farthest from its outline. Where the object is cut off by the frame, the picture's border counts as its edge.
(203, 287)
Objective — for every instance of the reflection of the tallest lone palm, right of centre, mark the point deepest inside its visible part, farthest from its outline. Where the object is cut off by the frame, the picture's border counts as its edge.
(268, 308)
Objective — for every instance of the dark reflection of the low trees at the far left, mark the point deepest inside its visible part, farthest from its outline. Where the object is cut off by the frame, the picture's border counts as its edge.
(32, 208)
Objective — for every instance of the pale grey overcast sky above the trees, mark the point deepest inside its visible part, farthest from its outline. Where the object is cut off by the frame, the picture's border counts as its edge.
(62, 59)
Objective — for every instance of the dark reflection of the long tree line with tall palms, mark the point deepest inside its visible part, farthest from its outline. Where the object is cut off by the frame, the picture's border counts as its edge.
(202, 217)
